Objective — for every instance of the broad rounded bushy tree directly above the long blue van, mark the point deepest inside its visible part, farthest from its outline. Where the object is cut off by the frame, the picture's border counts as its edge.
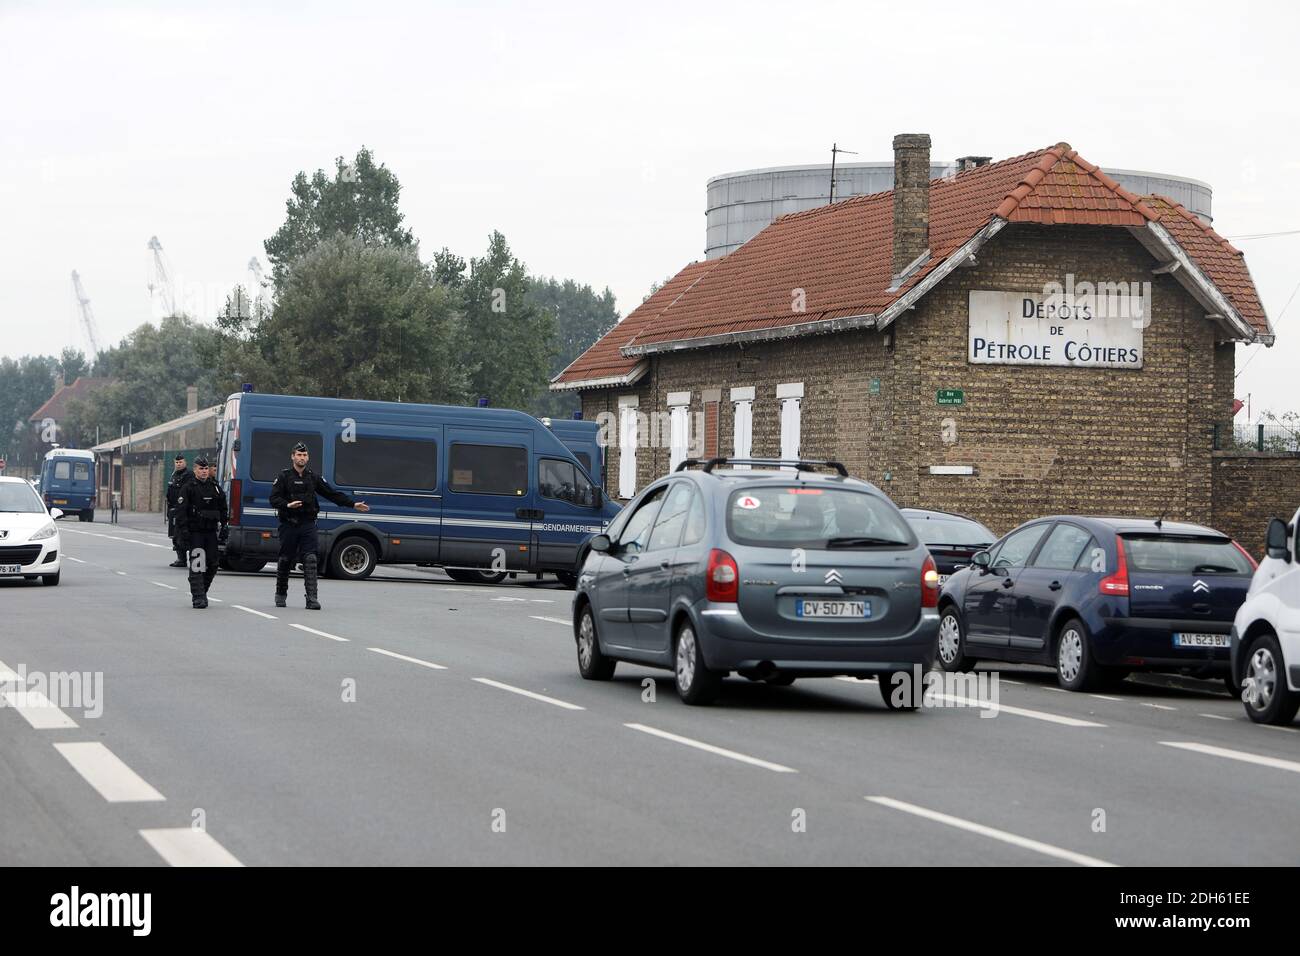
(358, 321)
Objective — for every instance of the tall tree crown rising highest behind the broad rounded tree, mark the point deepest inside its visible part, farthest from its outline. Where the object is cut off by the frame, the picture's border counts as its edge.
(359, 202)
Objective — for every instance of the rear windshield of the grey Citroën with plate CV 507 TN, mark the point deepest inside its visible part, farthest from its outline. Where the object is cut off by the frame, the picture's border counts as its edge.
(814, 518)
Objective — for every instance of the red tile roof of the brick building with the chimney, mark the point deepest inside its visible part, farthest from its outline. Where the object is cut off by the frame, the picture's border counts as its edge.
(842, 256)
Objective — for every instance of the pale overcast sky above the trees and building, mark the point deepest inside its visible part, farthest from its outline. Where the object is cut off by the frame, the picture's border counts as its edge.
(587, 132)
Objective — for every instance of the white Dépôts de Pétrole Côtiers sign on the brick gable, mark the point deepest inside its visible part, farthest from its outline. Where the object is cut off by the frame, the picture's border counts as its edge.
(1038, 330)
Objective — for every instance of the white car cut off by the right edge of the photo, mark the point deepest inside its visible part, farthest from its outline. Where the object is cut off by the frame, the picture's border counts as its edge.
(1267, 631)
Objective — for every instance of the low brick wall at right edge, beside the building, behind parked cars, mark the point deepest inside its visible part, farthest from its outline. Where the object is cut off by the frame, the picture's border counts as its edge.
(1250, 488)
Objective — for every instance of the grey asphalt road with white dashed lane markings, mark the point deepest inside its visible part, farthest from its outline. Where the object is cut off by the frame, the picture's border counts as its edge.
(421, 721)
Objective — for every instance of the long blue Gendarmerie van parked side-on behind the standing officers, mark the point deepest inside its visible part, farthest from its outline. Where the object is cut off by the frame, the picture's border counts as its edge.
(480, 492)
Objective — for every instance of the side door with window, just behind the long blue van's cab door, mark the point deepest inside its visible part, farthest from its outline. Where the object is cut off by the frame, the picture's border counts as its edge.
(488, 504)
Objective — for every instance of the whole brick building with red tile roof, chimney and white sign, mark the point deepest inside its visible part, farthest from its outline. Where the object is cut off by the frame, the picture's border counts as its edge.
(1026, 338)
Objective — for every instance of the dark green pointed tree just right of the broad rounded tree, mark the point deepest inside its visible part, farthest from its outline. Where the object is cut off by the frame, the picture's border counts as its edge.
(509, 341)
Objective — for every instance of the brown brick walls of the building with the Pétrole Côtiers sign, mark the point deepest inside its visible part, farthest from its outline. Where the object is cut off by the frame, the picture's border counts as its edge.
(1043, 439)
